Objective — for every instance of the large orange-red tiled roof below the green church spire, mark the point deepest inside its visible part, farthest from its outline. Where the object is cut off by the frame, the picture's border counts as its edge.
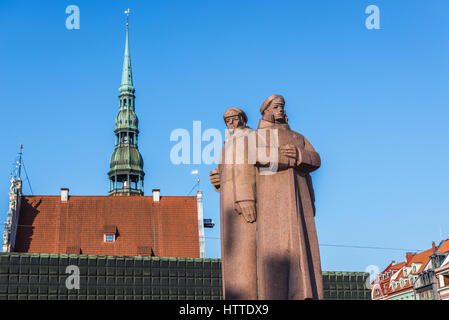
(168, 228)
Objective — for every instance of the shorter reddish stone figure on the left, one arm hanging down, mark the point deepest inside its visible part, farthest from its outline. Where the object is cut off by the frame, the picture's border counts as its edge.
(235, 180)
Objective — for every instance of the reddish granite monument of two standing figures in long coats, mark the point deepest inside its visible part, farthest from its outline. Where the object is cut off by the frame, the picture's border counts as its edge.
(269, 240)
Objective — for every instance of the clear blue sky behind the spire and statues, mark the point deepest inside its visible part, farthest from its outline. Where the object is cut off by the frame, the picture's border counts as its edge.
(374, 103)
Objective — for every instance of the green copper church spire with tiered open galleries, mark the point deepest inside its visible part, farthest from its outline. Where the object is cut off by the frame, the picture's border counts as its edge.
(126, 165)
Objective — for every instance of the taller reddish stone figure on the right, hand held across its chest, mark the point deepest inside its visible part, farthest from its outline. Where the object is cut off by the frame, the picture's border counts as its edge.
(288, 258)
